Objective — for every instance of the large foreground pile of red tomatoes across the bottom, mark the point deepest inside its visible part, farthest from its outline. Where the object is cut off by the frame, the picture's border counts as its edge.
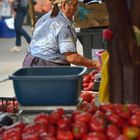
(87, 122)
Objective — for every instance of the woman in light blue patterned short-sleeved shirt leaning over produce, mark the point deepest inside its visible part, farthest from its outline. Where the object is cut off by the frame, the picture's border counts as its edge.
(54, 39)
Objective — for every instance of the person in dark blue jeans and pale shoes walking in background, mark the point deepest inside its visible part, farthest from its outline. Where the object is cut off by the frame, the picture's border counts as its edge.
(20, 8)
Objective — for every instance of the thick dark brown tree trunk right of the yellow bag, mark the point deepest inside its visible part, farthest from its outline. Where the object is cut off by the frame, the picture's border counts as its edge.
(123, 66)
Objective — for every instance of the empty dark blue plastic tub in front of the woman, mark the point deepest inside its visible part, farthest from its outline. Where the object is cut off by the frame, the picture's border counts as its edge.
(44, 86)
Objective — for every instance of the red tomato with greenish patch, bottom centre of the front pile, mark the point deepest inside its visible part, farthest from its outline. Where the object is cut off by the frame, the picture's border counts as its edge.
(79, 129)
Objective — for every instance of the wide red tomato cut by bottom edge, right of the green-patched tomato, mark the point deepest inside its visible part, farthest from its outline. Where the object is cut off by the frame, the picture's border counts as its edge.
(95, 136)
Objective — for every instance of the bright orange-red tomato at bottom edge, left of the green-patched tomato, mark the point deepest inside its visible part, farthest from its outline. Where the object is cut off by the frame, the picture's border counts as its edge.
(65, 135)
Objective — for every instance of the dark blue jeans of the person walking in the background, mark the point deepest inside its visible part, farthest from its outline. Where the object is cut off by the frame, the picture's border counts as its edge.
(19, 19)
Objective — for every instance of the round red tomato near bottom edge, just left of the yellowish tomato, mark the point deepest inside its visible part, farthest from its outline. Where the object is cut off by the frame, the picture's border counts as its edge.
(112, 131)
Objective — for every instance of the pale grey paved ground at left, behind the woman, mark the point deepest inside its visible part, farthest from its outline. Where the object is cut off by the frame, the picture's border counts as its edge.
(10, 62)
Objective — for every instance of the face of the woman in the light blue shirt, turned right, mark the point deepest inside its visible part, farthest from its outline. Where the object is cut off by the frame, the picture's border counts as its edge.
(70, 8)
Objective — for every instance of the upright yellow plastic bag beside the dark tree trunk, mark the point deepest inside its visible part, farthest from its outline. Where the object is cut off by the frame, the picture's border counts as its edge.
(104, 89)
